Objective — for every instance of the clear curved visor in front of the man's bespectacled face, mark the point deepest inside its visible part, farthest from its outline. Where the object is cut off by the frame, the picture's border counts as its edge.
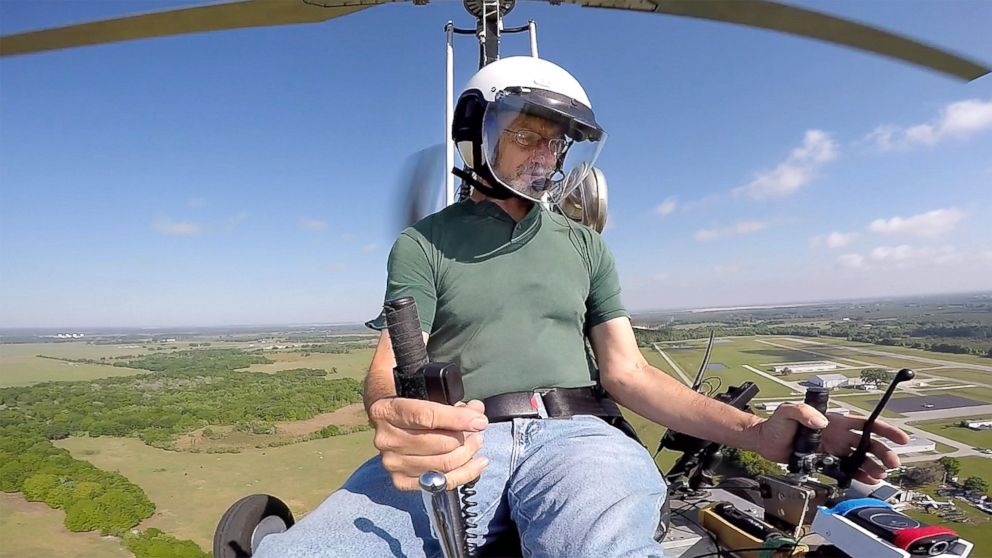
(536, 149)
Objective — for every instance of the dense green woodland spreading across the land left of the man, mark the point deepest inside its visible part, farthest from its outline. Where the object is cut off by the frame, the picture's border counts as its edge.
(184, 391)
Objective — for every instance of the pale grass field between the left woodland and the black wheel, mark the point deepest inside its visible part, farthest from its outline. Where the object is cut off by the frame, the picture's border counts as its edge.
(192, 490)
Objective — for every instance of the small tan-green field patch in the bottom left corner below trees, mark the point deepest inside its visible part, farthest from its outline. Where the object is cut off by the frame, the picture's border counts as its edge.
(32, 529)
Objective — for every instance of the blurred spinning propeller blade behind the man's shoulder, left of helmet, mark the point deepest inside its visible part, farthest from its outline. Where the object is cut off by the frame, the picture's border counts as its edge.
(420, 186)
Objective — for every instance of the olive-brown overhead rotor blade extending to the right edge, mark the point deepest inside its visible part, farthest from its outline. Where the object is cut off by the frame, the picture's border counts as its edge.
(766, 14)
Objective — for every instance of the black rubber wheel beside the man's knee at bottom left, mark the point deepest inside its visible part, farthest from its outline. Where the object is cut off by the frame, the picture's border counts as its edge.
(247, 522)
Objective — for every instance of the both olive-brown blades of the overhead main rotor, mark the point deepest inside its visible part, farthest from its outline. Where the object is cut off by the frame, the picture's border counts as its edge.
(763, 14)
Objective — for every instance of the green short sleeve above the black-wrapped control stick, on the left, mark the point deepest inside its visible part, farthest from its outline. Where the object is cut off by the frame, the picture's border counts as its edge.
(409, 273)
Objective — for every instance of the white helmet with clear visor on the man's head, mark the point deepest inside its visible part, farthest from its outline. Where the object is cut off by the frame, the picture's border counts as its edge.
(544, 111)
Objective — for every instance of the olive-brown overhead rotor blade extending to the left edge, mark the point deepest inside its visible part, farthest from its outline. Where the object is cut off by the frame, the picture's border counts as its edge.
(199, 19)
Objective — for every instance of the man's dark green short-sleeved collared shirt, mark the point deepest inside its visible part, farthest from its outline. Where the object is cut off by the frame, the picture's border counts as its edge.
(508, 302)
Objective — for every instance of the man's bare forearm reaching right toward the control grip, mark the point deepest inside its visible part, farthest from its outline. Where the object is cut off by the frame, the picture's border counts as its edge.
(658, 397)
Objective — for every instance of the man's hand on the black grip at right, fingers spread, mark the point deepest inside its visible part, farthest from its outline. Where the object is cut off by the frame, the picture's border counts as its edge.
(775, 437)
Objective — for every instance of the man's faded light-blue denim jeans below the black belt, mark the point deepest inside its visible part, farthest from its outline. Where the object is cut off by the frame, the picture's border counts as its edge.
(574, 487)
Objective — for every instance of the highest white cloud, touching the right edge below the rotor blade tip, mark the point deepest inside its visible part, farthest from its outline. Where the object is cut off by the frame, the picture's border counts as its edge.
(957, 120)
